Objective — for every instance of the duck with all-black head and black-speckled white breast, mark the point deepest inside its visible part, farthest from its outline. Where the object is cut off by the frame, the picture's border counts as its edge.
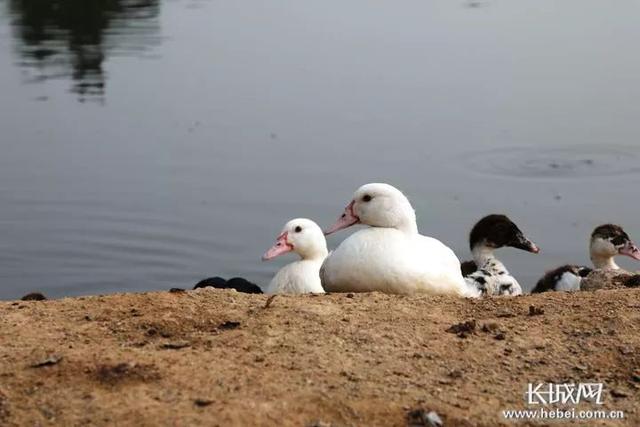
(486, 272)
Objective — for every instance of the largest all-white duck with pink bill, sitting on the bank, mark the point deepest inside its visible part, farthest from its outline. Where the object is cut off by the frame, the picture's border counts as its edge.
(390, 256)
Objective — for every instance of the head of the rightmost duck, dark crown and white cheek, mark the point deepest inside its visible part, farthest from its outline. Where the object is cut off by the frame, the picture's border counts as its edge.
(606, 242)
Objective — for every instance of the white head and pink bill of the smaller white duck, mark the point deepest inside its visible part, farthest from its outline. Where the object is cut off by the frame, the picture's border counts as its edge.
(302, 236)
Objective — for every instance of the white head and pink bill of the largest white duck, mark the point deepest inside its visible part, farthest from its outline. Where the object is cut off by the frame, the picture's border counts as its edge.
(377, 205)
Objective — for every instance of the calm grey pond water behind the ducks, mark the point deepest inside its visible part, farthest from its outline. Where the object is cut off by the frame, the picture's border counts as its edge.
(147, 144)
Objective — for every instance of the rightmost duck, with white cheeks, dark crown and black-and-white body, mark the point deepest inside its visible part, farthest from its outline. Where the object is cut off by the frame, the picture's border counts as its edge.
(607, 241)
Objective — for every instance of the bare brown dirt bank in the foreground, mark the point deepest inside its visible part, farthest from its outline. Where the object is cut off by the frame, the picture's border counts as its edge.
(214, 357)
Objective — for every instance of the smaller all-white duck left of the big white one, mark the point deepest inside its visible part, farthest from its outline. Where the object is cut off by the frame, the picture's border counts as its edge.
(306, 239)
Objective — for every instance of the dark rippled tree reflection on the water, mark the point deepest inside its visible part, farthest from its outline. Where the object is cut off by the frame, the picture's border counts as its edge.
(72, 38)
